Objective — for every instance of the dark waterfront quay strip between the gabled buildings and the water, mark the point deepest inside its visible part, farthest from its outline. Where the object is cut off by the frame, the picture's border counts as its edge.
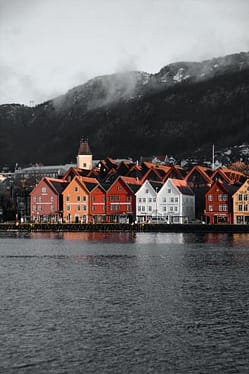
(66, 227)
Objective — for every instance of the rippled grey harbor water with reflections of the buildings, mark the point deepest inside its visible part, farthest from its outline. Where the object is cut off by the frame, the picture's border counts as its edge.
(85, 302)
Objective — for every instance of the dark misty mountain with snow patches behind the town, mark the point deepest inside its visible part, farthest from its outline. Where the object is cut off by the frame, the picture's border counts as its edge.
(185, 107)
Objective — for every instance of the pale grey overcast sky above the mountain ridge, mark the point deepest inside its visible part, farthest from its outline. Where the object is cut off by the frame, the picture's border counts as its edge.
(49, 46)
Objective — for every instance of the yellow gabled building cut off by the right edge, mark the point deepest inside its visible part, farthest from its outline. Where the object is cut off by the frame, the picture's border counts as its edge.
(241, 204)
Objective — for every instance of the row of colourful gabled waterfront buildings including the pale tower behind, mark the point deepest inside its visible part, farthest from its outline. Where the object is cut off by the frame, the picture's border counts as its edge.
(125, 191)
